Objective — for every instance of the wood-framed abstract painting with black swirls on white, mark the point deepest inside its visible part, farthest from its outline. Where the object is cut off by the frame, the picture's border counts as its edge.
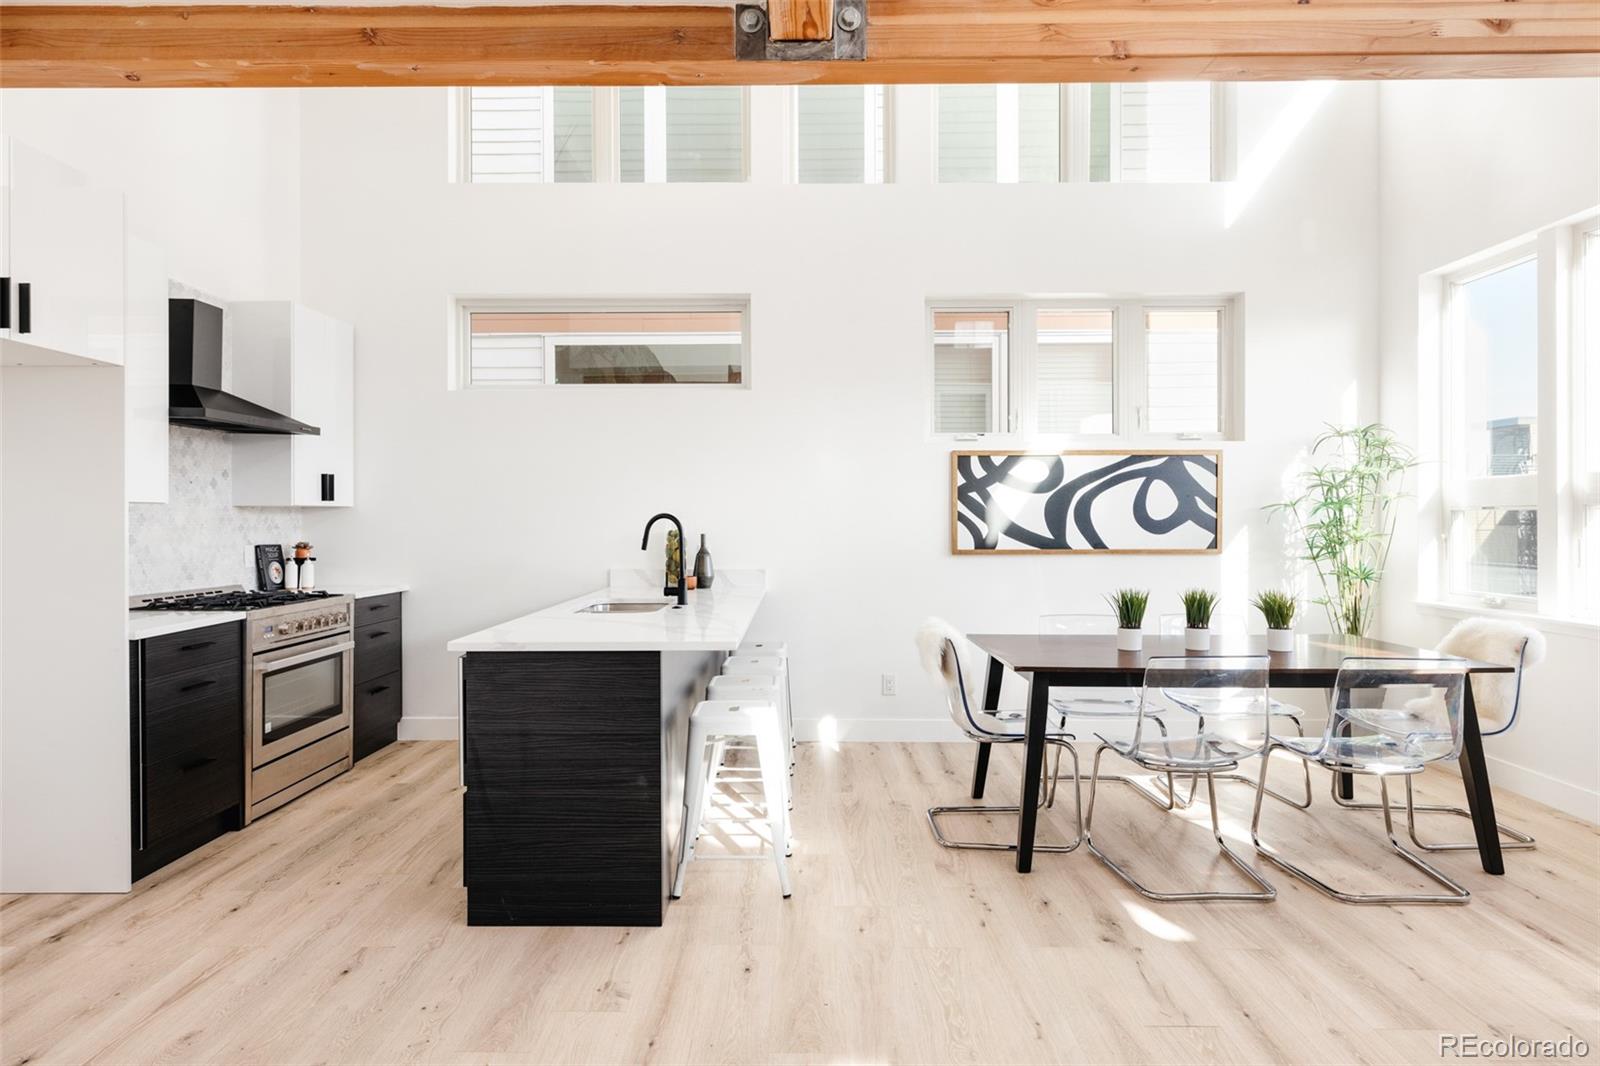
(1086, 502)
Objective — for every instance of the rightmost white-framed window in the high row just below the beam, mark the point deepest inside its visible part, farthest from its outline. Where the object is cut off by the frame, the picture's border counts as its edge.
(1138, 134)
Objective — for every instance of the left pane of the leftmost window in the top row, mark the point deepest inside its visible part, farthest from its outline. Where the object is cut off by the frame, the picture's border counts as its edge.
(530, 134)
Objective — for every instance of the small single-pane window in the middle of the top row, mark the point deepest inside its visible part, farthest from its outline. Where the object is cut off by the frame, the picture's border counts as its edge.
(841, 134)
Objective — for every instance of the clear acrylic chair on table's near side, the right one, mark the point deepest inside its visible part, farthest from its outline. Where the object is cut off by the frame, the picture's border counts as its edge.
(1390, 718)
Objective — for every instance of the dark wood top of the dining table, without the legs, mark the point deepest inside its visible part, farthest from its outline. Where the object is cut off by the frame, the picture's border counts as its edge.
(1314, 660)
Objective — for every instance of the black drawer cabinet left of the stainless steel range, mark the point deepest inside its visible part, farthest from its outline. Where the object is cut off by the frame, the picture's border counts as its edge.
(186, 697)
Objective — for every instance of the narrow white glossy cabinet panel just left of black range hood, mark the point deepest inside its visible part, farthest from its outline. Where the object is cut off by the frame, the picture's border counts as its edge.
(145, 377)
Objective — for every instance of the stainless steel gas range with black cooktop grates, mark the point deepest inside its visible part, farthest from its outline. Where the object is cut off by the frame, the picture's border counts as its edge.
(300, 700)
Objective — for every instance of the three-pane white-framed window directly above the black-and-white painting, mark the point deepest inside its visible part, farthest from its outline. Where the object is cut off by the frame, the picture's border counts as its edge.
(1086, 367)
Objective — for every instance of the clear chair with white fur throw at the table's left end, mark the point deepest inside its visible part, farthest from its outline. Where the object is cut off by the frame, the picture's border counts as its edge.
(942, 647)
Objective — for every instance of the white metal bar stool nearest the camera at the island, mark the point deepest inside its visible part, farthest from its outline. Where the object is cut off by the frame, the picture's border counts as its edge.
(735, 718)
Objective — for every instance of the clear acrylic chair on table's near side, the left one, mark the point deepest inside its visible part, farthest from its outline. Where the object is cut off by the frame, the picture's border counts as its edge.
(1238, 727)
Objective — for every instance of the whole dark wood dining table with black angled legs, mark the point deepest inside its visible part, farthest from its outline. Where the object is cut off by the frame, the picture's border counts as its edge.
(1095, 662)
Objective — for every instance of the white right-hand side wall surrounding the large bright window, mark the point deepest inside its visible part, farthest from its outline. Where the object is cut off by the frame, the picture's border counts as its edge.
(1463, 167)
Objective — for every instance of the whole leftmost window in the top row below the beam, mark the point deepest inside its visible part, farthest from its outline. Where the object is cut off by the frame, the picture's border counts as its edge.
(580, 134)
